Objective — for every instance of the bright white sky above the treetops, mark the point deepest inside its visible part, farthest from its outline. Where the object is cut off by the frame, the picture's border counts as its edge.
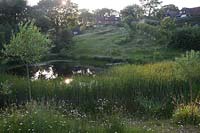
(120, 4)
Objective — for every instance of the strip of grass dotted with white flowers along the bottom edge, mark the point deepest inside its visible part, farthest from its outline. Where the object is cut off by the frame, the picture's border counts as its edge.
(34, 117)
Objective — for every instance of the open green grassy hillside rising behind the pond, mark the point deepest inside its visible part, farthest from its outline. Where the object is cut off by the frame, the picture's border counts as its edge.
(110, 44)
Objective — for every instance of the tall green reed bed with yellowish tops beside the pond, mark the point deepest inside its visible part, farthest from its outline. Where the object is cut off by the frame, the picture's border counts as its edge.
(146, 89)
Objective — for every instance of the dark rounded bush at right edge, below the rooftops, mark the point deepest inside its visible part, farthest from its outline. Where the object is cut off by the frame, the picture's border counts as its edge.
(186, 38)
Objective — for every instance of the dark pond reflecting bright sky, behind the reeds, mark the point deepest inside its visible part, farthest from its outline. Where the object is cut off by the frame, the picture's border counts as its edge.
(54, 69)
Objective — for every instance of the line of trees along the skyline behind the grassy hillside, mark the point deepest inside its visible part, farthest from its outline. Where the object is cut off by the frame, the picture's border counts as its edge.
(58, 18)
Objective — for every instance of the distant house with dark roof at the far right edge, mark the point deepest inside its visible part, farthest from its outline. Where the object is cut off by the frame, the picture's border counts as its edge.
(190, 12)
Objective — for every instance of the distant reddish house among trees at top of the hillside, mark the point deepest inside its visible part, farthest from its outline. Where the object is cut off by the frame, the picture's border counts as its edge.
(104, 20)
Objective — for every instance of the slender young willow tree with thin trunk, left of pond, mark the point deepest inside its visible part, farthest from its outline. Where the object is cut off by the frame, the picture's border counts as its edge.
(28, 45)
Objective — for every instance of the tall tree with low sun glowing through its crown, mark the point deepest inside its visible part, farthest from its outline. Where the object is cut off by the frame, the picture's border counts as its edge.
(58, 20)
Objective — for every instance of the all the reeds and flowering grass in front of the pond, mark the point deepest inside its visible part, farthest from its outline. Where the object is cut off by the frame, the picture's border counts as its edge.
(110, 101)
